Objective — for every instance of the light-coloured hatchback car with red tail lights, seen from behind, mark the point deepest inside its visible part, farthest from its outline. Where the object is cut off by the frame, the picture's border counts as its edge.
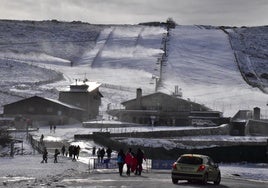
(195, 167)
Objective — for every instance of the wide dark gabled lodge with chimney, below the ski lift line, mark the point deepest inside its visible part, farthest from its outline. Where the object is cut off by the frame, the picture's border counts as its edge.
(163, 109)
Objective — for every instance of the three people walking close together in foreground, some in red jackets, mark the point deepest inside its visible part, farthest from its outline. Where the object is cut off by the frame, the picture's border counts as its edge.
(132, 160)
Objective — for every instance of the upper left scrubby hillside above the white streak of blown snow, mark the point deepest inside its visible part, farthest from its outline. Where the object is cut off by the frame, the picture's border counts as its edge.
(59, 39)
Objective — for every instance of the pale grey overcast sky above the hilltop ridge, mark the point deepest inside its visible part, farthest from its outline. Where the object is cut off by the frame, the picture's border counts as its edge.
(185, 12)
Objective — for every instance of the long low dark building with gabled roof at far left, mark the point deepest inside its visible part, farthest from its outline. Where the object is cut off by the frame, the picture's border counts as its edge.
(44, 110)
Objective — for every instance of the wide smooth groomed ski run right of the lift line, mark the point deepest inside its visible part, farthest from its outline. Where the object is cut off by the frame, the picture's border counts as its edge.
(202, 63)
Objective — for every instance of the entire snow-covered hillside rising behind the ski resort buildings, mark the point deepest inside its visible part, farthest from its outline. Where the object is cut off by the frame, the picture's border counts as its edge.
(202, 61)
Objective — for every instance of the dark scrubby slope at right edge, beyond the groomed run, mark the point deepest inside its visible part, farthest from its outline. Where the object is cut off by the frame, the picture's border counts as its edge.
(250, 46)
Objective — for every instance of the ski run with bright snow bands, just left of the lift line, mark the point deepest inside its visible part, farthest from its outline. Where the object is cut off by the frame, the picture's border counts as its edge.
(128, 54)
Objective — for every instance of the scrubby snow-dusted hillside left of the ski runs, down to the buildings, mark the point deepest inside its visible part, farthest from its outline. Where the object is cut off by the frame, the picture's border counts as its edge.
(23, 44)
